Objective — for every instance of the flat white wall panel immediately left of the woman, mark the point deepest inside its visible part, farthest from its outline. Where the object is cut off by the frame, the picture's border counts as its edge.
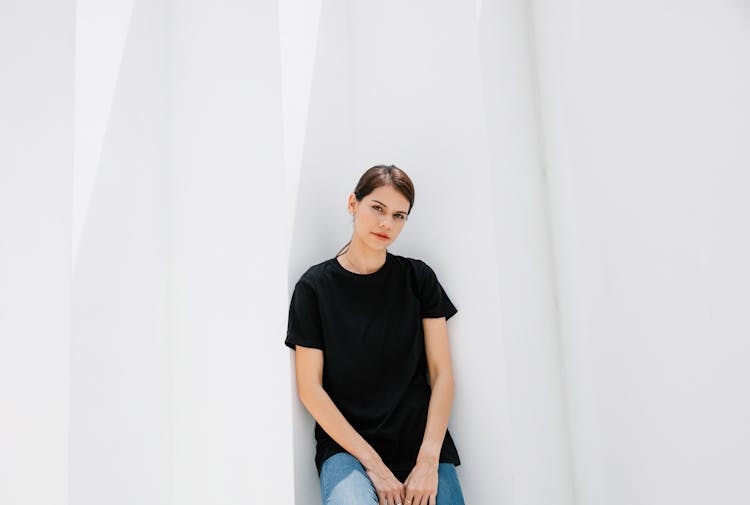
(232, 389)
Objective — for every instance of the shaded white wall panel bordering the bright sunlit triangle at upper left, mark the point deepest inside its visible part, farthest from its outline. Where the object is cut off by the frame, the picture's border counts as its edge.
(121, 377)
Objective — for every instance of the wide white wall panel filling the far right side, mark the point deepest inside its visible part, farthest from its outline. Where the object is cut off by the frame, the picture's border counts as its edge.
(646, 119)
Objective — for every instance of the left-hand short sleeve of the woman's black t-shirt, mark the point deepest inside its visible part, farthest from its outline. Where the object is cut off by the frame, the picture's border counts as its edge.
(304, 326)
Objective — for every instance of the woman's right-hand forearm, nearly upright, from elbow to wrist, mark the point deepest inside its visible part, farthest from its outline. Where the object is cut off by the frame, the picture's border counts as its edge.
(438, 415)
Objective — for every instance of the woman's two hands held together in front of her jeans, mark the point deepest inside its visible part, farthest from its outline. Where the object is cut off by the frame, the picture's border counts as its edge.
(419, 488)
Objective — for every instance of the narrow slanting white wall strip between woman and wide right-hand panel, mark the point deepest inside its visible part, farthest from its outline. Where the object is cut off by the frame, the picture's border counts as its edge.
(528, 316)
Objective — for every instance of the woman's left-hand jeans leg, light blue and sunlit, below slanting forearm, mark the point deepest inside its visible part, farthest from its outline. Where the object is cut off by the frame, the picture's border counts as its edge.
(343, 481)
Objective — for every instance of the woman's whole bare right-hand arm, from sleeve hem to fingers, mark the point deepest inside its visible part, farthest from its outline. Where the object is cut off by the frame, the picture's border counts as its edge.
(421, 484)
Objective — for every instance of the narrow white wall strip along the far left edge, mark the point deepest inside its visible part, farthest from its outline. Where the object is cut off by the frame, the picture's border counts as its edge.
(36, 174)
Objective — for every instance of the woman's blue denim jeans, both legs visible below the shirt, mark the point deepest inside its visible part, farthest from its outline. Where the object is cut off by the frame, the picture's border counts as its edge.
(343, 481)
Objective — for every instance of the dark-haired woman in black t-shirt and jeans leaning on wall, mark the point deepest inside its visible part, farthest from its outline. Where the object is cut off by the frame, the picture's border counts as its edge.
(373, 361)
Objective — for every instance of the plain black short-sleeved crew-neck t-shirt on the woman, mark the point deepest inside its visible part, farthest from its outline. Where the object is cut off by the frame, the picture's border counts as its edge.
(369, 327)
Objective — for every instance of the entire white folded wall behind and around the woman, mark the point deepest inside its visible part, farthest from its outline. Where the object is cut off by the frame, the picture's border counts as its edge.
(168, 169)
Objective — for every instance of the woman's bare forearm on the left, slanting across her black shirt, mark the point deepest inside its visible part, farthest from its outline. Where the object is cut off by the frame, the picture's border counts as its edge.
(321, 407)
